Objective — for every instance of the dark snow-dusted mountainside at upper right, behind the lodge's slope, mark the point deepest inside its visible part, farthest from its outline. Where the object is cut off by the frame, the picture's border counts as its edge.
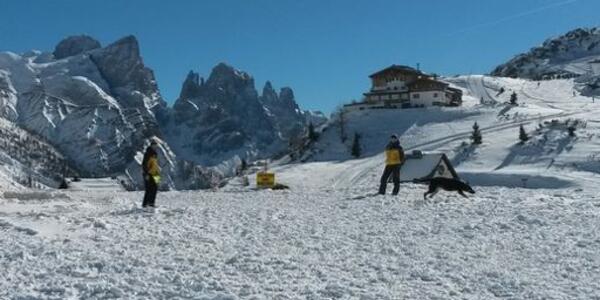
(574, 54)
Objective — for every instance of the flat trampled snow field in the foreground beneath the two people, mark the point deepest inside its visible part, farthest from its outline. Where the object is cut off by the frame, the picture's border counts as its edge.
(502, 243)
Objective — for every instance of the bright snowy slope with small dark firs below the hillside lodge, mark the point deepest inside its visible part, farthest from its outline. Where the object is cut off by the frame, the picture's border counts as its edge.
(550, 159)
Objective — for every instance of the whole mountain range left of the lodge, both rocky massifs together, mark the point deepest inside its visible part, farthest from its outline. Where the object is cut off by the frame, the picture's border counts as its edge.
(99, 106)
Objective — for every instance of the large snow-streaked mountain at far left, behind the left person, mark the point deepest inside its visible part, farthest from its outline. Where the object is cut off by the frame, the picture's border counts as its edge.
(97, 105)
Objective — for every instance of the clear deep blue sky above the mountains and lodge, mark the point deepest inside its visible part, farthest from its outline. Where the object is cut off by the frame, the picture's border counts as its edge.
(323, 49)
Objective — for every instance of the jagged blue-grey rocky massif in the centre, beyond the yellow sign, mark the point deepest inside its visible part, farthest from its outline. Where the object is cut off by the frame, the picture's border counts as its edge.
(224, 119)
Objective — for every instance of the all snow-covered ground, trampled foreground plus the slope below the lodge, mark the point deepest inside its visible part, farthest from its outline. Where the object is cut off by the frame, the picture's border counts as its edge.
(327, 237)
